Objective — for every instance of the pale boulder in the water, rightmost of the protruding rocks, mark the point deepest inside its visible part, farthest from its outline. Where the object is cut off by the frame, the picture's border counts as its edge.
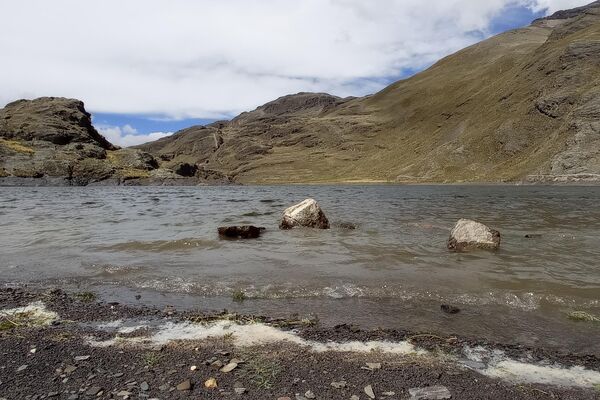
(468, 234)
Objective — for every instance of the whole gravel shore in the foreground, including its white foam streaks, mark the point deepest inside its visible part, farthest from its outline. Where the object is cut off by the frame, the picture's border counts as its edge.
(137, 350)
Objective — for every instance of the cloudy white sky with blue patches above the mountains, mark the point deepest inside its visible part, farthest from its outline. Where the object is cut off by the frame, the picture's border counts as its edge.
(147, 68)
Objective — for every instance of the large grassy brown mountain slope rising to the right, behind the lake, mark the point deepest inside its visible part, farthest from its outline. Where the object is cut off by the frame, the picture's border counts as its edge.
(521, 106)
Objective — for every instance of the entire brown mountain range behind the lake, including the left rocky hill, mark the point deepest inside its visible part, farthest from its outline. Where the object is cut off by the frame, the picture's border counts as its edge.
(522, 106)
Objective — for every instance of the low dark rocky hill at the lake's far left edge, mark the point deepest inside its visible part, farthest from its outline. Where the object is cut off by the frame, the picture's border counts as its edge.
(52, 141)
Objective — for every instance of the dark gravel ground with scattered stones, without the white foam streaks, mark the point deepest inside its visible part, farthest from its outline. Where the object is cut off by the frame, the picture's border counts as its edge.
(56, 361)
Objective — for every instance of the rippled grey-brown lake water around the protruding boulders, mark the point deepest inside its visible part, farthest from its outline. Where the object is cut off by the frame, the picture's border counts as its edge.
(392, 271)
